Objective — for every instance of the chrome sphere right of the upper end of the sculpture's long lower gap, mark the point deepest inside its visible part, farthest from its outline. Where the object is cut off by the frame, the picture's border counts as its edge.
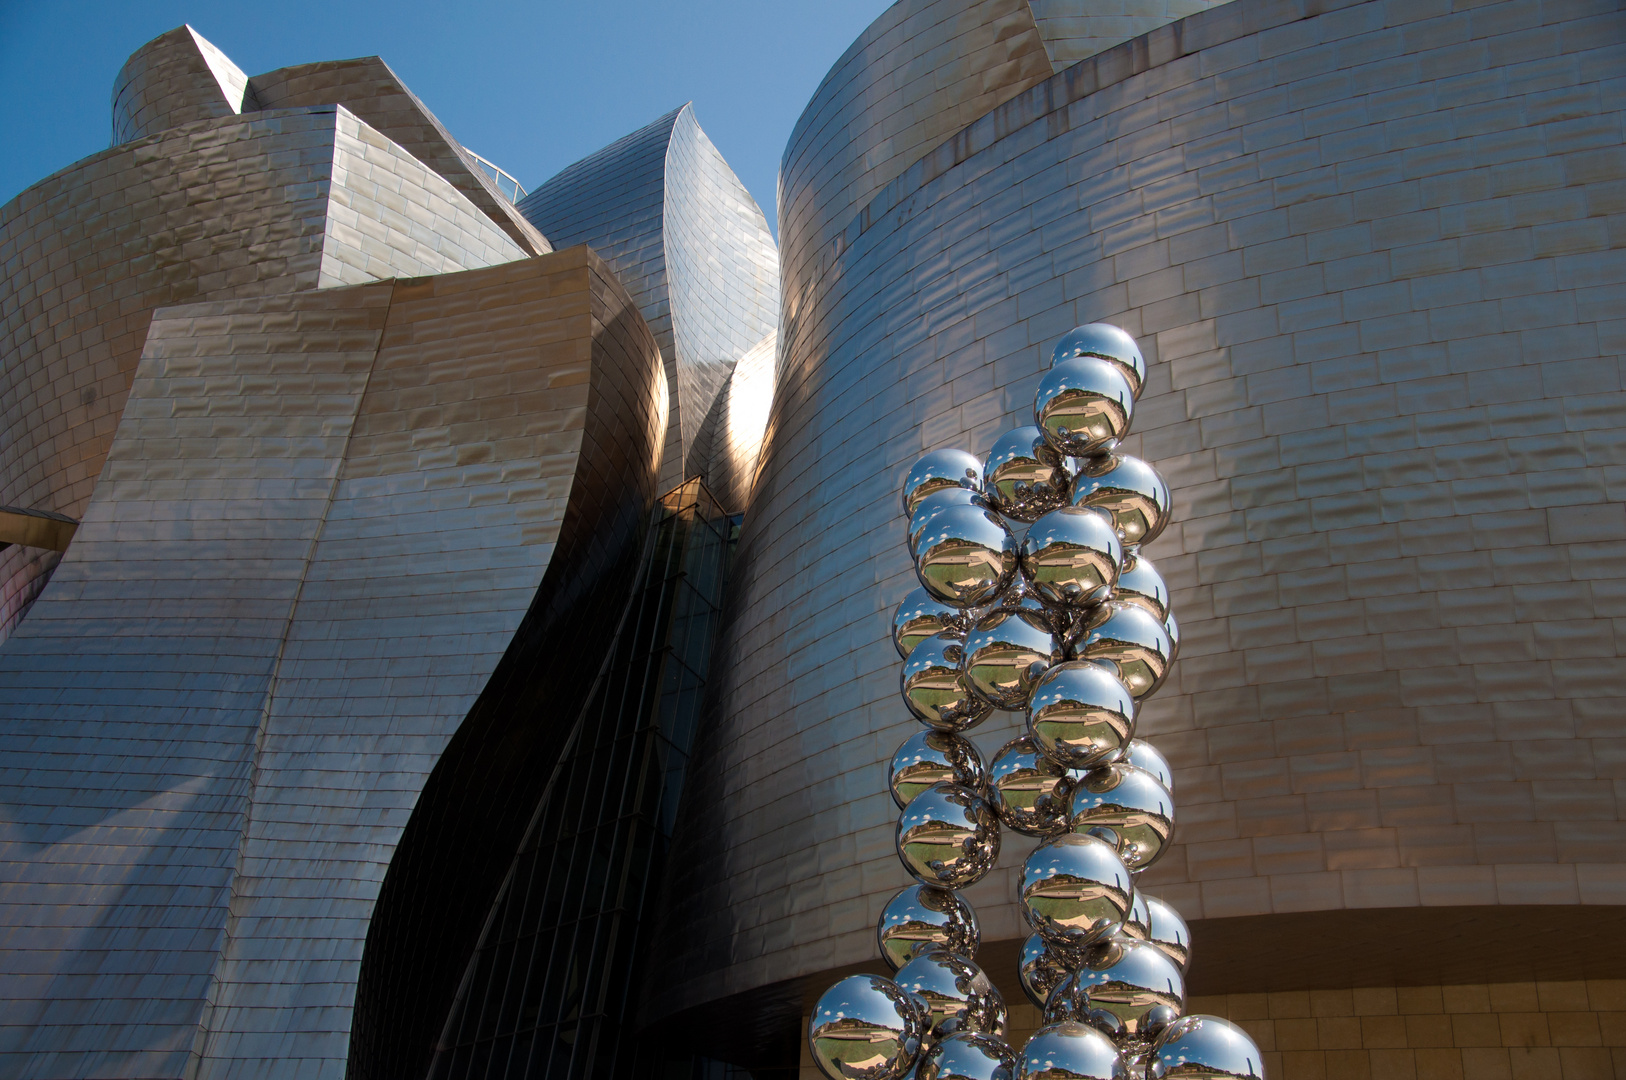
(1076, 891)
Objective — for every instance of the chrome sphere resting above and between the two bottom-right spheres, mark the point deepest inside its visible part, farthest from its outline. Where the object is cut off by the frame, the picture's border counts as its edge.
(1128, 990)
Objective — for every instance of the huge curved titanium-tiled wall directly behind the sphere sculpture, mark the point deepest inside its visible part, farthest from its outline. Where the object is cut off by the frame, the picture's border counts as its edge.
(1375, 256)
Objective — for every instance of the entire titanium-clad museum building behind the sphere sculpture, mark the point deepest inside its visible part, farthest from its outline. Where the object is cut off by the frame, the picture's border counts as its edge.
(446, 629)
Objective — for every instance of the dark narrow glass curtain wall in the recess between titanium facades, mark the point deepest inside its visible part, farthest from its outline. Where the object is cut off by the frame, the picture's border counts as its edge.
(552, 988)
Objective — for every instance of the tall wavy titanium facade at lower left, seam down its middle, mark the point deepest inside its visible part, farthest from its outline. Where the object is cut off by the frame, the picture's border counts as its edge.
(326, 523)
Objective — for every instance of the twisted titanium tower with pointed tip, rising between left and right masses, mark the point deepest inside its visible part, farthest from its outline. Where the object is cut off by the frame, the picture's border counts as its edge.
(695, 251)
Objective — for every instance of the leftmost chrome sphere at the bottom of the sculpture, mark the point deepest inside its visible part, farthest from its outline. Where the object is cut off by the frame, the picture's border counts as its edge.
(866, 1029)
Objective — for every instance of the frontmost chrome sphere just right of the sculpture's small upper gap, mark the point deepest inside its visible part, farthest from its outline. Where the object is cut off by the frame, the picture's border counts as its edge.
(1080, 713)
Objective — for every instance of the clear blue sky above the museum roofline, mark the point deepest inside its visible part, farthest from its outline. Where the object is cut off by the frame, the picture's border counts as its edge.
(528, 85)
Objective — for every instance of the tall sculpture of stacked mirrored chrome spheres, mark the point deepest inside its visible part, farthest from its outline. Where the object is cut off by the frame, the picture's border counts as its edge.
(1035, 598)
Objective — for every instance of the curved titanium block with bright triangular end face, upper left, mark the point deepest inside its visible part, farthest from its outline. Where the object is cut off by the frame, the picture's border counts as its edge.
(263, 204)
